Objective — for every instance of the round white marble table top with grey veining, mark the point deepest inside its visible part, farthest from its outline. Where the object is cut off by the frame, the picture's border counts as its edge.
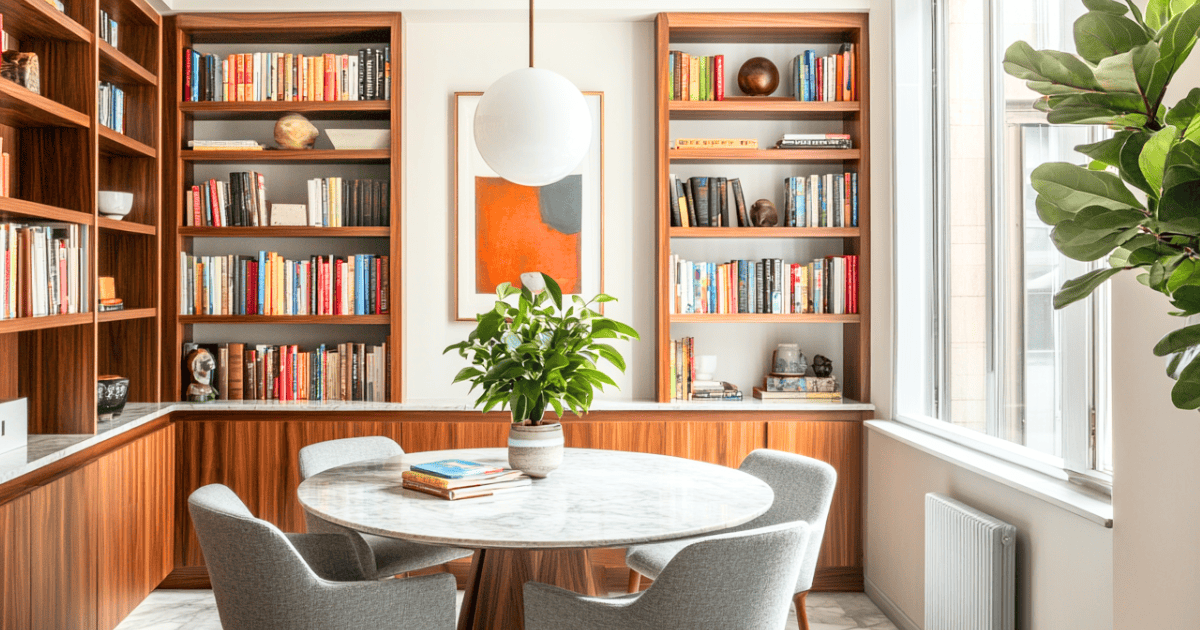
(597, 499)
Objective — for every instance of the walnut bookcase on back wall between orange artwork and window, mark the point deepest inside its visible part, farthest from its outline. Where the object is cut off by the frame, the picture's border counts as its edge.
(754, 29)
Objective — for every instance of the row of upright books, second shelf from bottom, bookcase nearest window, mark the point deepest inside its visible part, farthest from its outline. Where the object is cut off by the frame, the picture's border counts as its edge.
(770, 286)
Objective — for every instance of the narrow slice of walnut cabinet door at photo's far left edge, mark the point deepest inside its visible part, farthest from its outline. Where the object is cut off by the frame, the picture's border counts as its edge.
(15, 563)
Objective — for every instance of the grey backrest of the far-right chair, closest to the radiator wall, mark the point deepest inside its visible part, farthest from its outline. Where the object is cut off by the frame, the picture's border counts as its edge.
(803, 493)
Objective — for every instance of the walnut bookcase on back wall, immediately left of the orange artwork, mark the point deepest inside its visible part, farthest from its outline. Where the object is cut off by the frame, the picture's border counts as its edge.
(261, 33)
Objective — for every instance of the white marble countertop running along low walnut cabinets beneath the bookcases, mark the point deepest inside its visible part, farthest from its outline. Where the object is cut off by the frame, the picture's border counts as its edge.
(46, 449)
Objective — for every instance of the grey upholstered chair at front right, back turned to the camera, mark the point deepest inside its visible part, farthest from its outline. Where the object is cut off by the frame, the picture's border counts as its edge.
(741, 581)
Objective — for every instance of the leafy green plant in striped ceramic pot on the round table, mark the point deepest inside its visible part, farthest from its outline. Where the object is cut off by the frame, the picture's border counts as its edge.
(537, 356)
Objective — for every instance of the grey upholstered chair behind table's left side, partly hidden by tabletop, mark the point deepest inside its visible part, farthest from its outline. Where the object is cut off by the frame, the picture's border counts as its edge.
(381, 556)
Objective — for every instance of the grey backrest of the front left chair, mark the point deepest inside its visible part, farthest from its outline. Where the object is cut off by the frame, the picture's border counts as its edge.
(250, 561)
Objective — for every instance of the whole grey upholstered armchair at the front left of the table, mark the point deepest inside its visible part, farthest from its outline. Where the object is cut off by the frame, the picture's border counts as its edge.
(263, 578)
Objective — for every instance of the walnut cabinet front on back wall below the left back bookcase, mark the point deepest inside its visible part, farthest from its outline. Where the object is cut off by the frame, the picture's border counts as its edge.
(259, 460)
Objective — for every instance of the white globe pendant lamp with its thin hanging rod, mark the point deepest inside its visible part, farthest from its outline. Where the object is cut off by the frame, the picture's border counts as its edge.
(533, 127)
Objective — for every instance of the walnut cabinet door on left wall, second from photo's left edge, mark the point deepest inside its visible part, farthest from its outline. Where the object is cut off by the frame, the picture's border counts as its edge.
(64, 518)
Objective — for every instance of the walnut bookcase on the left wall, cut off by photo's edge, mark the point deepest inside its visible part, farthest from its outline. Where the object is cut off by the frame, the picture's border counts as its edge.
(62, 157)
